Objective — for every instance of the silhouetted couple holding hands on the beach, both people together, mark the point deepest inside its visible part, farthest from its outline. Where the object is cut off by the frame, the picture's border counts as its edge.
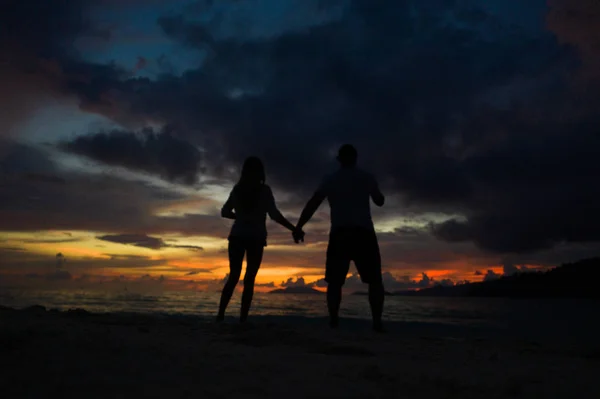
(352, 236)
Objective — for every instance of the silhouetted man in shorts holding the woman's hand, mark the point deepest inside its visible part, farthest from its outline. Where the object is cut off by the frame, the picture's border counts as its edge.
(352, 235)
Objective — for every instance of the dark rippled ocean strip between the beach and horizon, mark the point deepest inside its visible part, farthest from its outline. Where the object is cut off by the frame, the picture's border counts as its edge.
(536, 317)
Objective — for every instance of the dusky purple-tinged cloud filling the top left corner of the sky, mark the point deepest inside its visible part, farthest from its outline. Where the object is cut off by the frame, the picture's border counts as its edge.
(38, 41)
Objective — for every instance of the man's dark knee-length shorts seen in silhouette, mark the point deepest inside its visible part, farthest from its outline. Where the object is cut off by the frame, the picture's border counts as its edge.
(353, 244)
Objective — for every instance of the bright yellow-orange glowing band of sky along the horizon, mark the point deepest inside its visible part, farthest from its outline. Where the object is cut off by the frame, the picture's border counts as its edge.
(101, 260)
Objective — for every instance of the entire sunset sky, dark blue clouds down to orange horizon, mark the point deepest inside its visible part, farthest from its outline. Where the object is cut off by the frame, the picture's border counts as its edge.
(123, 125)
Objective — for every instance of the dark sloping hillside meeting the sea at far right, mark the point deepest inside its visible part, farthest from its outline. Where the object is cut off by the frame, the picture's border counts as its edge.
(572, 280)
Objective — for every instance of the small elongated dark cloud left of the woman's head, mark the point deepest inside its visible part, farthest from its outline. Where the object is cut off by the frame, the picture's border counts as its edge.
(160, 153)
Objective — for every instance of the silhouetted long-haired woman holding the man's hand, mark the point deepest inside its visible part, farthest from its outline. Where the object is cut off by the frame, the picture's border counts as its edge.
(248, 204)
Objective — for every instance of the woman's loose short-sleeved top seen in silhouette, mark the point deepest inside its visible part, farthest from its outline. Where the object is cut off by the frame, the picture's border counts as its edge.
(250, 213)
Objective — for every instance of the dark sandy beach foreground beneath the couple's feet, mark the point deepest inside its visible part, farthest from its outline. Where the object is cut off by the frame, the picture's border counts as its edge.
(81, 355)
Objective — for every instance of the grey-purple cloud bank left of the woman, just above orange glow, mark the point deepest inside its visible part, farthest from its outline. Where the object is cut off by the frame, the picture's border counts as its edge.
(99, 202)
